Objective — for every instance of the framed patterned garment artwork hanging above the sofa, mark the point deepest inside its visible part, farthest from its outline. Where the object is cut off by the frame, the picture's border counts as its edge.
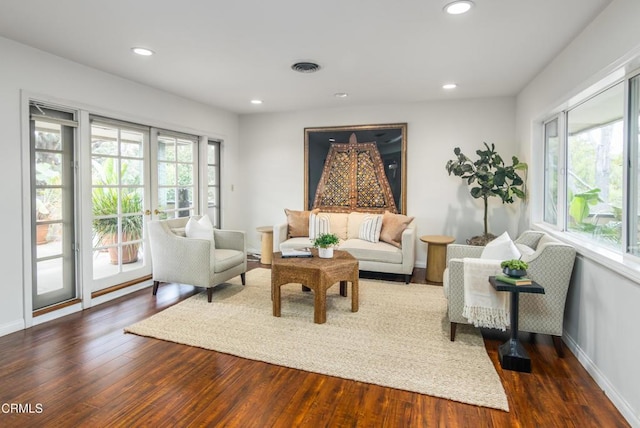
(389, 140)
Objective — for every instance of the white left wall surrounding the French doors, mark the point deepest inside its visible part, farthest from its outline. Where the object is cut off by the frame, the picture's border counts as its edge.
(36, 72)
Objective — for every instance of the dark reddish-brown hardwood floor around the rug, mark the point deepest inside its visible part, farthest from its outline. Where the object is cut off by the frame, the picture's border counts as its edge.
(82, 370)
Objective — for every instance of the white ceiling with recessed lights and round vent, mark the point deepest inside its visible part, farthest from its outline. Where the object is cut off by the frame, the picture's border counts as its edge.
(225, 53)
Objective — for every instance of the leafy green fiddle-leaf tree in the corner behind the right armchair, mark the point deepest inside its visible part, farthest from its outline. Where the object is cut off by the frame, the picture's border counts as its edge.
(489, 177)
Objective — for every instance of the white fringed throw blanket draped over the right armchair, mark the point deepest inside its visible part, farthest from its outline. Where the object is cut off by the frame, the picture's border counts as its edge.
(483, 305)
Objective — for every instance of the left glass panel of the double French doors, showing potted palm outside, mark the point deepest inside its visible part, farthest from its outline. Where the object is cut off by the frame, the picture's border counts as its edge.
(118, 192)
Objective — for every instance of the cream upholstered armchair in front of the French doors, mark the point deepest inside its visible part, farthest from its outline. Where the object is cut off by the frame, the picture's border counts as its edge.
(176, 258)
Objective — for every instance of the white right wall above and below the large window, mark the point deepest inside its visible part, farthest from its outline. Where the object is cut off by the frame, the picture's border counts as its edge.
(602, 308)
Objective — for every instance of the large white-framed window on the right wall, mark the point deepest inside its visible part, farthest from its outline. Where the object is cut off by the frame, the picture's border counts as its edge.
(589, 180)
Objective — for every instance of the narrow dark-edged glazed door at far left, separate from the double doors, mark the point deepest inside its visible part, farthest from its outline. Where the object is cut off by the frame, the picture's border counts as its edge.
(53, 179)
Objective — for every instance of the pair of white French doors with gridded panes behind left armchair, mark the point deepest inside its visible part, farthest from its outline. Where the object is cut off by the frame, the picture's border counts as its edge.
(137, 173)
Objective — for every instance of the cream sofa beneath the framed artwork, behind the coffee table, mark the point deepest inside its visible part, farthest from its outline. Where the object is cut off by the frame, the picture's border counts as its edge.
(372, 256)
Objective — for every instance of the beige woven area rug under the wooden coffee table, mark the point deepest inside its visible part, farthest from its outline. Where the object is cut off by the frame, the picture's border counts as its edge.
(399, 338)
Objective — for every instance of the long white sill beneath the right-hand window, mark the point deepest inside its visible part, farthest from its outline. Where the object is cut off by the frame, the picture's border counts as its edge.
(626, 265)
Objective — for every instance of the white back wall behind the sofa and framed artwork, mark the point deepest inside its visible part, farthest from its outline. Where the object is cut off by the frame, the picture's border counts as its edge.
(274, 166)
